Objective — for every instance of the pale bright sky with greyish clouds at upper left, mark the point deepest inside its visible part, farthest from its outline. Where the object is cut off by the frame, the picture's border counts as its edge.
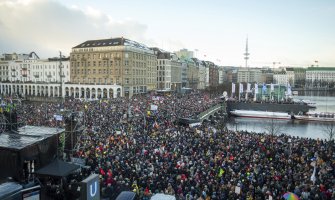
(289, 32)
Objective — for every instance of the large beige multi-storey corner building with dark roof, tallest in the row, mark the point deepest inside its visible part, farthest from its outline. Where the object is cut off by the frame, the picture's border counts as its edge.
(117, 61)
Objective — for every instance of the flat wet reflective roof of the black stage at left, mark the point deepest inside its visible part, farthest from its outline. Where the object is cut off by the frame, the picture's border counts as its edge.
(26, 136)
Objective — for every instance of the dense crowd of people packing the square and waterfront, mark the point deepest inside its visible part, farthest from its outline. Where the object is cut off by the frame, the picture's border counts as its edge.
(135, 146)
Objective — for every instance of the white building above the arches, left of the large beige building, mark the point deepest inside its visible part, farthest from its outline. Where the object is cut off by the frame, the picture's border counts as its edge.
(29, 68)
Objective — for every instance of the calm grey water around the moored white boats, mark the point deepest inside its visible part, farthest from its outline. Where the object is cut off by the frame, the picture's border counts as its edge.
(325, 102)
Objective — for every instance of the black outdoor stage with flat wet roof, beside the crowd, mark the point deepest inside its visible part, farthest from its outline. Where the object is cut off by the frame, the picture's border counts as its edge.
(26, 150)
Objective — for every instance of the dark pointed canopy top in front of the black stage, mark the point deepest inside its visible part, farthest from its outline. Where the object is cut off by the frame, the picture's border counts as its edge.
(58, 168)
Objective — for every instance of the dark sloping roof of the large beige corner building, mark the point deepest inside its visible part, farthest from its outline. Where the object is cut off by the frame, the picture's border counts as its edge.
(111, 42)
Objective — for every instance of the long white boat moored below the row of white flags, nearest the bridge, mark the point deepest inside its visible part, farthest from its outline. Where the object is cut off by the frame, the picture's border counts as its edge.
(260, 114)
